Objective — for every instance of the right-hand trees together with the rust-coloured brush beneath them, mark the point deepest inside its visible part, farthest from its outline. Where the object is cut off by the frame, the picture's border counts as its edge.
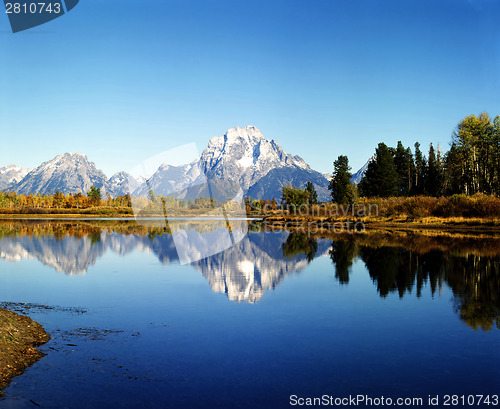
(466, 178)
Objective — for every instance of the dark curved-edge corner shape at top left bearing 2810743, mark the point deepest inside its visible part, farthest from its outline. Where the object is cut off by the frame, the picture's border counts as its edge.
(26, 14)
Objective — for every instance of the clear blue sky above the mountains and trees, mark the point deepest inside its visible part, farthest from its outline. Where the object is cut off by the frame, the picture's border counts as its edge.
(124, 80)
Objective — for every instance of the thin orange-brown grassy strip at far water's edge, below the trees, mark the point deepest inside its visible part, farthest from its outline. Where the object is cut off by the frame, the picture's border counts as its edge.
(477, 210)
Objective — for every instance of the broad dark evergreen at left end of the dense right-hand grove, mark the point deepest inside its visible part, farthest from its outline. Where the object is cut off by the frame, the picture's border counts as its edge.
(381, 178)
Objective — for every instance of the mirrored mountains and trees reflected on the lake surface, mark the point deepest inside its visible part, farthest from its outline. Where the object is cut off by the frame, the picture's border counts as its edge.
(262, 260)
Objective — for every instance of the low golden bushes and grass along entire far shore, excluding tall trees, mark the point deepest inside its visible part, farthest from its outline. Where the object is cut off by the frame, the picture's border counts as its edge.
(476, 211)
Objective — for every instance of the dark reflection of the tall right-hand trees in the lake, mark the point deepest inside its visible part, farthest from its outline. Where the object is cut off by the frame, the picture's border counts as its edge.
(473, 278)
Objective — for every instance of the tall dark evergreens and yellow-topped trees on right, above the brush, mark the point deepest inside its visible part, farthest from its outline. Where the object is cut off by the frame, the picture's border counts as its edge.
(470, 166)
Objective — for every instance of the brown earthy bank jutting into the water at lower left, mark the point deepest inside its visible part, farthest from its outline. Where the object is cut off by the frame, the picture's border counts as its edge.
(19, 337)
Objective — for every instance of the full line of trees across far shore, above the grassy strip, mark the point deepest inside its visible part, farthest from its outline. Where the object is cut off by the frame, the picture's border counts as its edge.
(471, 166)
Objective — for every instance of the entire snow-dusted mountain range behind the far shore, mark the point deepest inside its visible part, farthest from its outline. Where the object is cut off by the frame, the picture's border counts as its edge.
(241, 161)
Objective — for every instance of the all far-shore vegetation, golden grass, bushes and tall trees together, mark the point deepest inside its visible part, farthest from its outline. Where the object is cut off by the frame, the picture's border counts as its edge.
(399, 186)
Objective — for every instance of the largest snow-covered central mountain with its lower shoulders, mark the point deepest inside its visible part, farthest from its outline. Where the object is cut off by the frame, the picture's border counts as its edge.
(241, 158)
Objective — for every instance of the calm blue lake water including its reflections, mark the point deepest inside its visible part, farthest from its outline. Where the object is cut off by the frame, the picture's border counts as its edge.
(275, 315)
